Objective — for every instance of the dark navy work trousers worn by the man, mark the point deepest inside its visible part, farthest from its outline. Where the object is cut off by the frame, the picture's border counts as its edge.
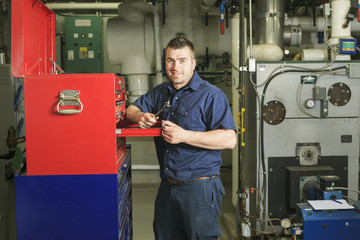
(188, 211)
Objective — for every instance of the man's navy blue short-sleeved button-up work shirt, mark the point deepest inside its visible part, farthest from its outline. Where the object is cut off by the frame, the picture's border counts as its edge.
(199, 106)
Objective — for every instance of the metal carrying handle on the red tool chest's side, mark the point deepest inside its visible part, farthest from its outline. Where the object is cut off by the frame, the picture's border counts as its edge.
(69, 98)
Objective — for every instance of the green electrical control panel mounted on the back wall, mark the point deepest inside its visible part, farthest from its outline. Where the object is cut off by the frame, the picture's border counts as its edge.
(83, 44)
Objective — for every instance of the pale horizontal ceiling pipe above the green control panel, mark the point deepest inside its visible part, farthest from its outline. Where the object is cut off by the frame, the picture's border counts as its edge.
(83, 6)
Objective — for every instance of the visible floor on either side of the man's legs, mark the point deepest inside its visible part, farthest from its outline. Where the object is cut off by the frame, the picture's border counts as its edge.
(143, 196)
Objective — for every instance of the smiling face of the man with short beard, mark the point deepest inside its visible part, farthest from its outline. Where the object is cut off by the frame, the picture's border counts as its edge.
(180, 65)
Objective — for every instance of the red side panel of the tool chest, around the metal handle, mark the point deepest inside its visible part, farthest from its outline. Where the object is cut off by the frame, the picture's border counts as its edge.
(83, 143)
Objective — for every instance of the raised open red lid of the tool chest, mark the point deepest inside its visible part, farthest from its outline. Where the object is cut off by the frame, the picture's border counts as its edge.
(32, 38)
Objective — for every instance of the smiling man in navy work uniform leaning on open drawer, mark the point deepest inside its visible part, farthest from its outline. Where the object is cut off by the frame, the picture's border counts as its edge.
(196, 126)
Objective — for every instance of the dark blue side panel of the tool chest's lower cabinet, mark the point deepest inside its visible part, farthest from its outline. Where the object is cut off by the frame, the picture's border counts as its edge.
(67, 207)
